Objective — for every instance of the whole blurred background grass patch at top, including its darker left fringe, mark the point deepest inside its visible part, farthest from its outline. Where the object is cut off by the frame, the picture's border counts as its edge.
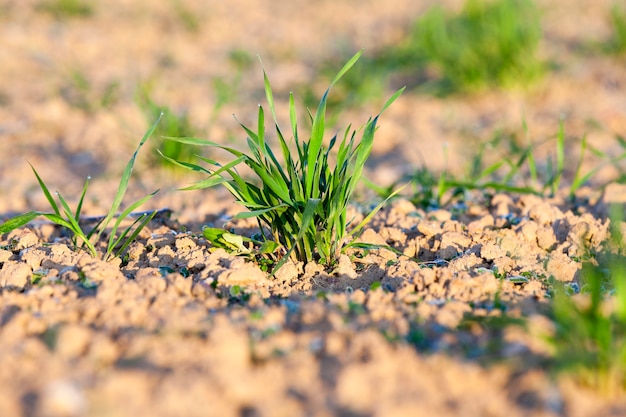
(487, 44)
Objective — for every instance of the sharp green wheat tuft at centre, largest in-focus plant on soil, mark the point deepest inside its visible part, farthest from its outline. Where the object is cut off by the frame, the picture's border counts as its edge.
(302, 202)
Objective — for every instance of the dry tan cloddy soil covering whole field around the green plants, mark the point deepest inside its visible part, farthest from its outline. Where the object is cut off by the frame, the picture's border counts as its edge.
(183, 329)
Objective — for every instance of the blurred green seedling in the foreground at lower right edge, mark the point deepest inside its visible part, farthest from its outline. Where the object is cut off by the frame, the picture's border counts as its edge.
(590, 338)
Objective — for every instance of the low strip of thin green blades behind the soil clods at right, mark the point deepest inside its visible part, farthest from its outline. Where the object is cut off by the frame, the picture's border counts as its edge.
(517, 171)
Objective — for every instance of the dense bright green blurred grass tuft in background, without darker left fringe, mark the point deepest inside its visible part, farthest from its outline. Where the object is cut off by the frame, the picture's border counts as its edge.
(488, 43)
